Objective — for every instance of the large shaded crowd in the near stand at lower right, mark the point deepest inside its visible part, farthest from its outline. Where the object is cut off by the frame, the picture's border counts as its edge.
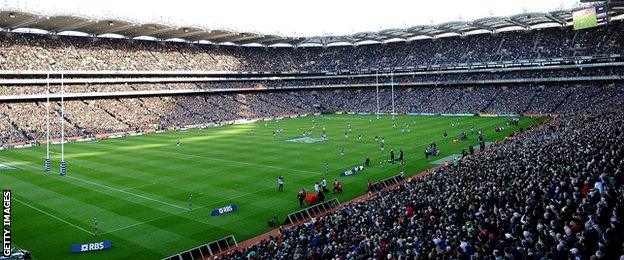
(554, 191)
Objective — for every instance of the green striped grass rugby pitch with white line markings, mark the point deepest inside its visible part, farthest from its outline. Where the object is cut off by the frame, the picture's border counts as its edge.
(139, 187)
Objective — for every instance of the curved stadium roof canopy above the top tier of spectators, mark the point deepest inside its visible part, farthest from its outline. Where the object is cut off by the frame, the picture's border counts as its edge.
(12, 20)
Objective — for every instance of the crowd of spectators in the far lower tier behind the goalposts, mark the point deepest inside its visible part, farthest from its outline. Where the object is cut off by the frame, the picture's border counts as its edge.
(26, 121)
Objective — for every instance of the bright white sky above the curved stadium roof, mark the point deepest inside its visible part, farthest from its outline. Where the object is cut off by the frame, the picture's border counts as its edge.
(289, 17)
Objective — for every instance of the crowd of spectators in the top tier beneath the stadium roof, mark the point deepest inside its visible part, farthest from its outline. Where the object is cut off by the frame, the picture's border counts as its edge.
(42, 52)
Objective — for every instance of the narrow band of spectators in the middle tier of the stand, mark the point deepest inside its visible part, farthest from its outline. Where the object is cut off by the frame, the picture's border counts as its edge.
(426, 79)
